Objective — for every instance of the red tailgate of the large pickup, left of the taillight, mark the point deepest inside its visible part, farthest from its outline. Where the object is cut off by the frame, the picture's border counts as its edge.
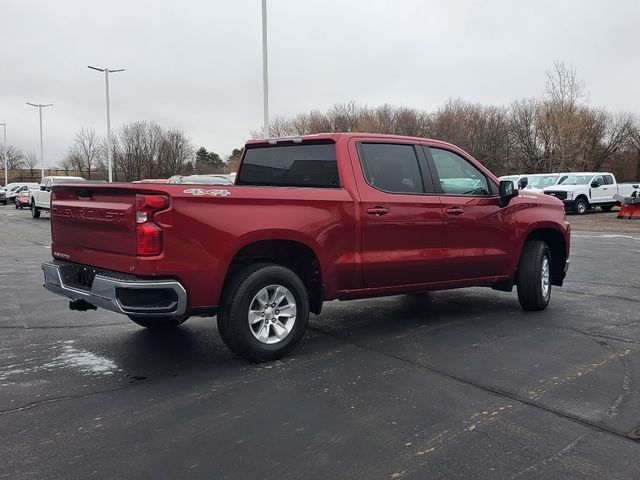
(99, 218)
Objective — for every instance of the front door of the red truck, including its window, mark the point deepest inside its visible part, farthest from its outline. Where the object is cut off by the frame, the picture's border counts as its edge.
(479, 235)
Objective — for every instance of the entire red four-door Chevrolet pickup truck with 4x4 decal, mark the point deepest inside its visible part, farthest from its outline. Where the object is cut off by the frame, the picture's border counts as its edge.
(309, 219)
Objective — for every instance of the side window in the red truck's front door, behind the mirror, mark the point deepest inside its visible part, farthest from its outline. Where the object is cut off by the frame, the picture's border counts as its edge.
(457, 176)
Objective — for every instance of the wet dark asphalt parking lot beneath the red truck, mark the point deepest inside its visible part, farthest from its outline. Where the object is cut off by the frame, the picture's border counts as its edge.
(457, 384)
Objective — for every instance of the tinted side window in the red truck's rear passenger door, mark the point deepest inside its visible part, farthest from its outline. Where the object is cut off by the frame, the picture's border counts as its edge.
(391, 167)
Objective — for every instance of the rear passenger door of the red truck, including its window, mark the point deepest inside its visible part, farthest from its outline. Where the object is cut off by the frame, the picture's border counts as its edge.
(401, 241)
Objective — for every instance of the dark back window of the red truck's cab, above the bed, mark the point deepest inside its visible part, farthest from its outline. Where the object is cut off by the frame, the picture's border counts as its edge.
(290, 166)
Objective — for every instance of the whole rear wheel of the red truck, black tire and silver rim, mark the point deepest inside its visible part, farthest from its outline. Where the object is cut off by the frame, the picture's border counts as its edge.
(264, 312)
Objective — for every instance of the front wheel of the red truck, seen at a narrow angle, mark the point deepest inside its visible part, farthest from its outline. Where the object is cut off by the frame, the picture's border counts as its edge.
(531, 292)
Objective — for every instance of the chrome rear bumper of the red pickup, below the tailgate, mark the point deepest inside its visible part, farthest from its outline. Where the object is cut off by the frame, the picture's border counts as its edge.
(117, 292)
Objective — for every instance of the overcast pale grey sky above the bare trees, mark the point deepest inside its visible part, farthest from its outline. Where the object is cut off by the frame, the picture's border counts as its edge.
(196, 65)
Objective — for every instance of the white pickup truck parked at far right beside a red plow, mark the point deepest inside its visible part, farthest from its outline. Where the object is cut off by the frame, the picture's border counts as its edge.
(583, 191)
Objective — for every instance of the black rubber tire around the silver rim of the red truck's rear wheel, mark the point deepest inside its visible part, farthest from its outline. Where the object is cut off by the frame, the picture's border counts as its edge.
(237, 300)
